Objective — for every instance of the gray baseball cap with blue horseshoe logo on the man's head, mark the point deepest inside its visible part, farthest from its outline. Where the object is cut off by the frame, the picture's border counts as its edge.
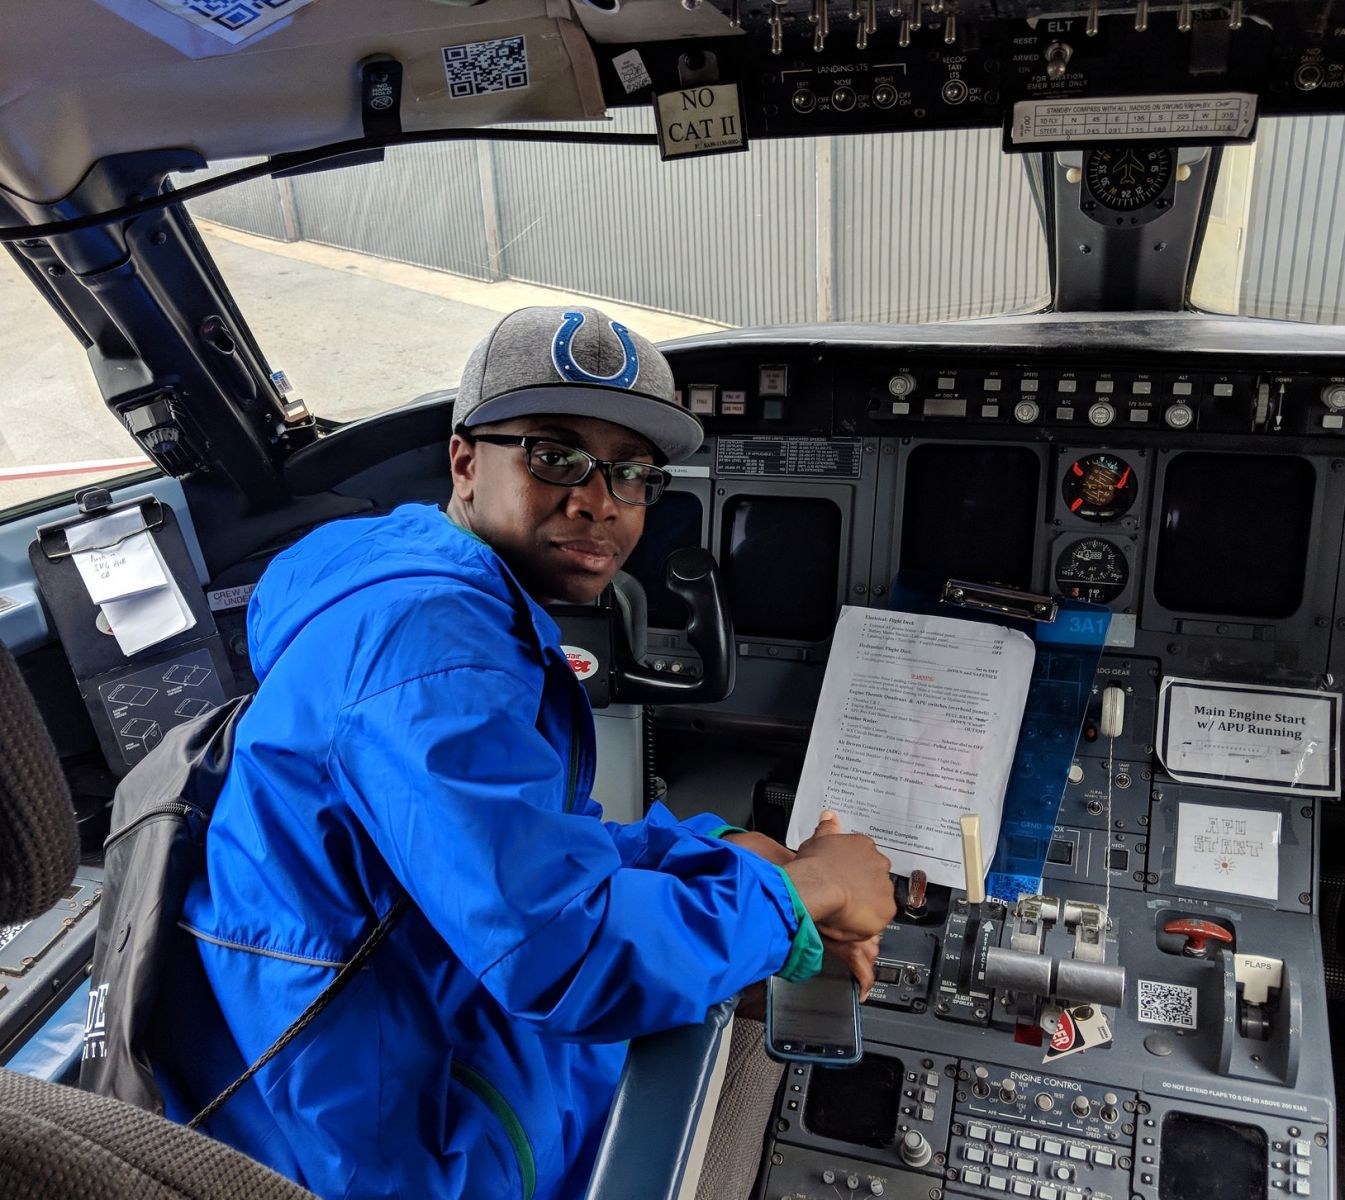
(579, 363)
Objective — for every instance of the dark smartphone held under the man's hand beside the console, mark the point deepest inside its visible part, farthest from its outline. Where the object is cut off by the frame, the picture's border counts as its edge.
(814, 1022)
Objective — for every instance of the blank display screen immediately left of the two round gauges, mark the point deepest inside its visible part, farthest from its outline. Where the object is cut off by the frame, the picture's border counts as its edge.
(972, 513)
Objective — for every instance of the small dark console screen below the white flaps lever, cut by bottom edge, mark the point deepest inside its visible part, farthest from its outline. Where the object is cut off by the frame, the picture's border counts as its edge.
(1204, 1158)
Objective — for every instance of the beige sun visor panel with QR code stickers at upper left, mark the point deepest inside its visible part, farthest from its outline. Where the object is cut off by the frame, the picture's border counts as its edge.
(122, 87)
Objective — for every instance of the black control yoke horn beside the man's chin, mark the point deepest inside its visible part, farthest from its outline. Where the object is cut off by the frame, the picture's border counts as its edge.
(693, 576)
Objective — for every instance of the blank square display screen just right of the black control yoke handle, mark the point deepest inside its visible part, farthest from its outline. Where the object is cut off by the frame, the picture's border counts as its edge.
(781, 559)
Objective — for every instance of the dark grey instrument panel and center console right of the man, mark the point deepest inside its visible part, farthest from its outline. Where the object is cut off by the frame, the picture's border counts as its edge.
(1137, 1028)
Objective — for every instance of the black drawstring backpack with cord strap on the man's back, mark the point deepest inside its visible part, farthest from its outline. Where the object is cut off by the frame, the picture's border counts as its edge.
(158, 844)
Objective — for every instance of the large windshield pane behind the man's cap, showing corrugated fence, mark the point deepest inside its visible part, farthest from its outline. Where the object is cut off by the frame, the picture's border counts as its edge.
(369, 286)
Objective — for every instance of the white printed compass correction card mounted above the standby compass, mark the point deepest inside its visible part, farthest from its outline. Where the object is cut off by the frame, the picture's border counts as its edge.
(1137, 119)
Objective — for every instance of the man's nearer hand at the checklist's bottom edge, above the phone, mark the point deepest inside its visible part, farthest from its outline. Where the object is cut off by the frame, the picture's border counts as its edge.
(844, 883)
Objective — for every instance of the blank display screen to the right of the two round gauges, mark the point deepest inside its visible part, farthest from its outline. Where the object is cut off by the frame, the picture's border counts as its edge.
(1234, 535)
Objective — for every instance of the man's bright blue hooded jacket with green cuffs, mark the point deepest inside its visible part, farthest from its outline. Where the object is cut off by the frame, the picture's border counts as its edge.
(419, 731)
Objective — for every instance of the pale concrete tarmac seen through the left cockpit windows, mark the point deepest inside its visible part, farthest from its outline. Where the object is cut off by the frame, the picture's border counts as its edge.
(354, 334)
